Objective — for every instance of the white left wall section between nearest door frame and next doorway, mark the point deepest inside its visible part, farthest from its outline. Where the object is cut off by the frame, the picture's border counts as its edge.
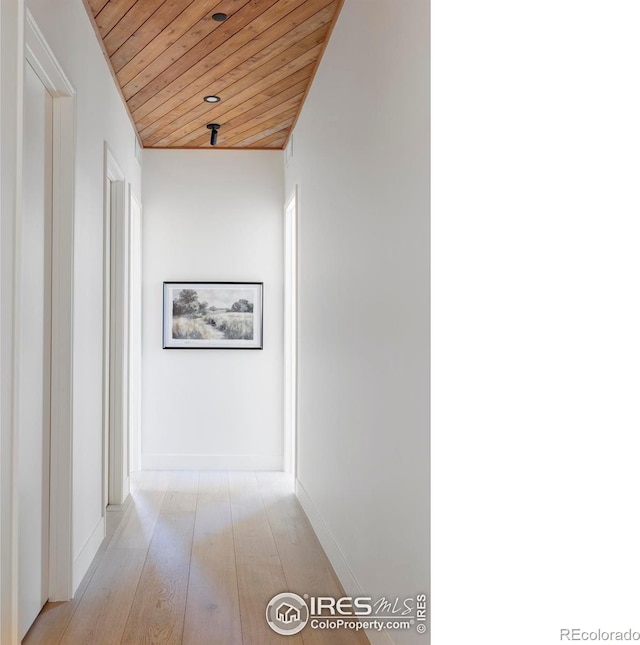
(100, 117)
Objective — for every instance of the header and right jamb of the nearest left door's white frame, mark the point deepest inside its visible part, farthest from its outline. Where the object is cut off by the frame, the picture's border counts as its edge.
(44, 63)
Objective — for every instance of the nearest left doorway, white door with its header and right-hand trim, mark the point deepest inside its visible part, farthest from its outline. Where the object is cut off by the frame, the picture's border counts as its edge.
(42, 362)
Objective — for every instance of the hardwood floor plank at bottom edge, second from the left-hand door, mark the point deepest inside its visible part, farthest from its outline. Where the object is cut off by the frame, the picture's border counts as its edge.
(103, 611)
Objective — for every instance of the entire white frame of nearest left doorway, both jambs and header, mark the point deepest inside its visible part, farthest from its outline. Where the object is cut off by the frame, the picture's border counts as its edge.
(22, 40)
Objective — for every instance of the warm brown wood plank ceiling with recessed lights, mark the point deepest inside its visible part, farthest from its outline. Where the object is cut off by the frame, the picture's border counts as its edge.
(168, 55)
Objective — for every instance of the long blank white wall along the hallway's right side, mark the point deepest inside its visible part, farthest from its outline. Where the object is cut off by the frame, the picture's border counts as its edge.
(361, 162)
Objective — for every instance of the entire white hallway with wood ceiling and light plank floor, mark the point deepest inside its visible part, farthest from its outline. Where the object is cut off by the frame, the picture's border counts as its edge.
(337, 383)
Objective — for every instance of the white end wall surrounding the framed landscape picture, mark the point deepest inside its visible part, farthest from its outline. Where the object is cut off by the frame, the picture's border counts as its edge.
(212, 216)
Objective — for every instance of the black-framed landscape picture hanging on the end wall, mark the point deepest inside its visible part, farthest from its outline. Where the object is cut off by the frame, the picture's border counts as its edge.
(212, 315)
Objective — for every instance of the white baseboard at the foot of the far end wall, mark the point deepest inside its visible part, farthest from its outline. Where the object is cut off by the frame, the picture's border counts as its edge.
(212, 462)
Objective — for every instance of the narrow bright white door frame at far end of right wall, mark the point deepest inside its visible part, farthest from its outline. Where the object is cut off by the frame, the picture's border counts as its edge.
(291, 333)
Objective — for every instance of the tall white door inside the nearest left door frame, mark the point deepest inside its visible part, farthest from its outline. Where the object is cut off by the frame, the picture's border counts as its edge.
(34, 350)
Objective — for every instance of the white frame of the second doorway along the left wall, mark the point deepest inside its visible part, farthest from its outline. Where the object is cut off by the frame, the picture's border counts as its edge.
(115, 335)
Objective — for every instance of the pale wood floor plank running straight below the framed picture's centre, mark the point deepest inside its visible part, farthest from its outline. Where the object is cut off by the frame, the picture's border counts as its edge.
(212, 597)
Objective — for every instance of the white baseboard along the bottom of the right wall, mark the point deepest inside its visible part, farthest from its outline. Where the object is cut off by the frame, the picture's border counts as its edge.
(336, 557)
